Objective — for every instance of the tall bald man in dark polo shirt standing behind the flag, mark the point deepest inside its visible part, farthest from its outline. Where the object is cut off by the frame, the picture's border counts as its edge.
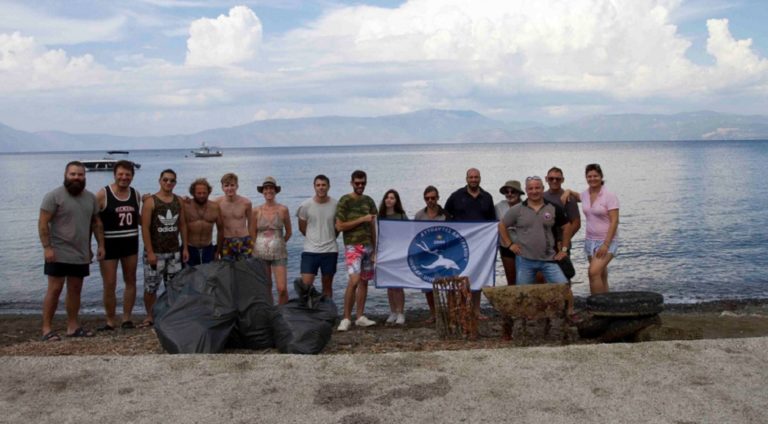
(472, 203)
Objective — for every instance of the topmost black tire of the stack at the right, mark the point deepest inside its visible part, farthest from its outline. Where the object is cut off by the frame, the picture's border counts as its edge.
(625, 304)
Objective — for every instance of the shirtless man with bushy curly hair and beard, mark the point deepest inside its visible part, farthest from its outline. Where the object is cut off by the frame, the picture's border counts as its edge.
(201, 215)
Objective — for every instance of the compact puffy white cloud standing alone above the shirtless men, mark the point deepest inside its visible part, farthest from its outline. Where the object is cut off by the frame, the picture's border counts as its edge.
(226, 40)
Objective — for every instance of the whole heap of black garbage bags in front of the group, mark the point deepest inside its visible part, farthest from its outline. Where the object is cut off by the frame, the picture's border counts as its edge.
(208, 308)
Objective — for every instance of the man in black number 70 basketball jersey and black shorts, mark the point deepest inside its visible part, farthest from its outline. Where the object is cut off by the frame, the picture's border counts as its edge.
(119, 212)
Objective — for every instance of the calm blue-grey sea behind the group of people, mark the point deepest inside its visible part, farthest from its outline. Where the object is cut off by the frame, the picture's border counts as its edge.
(693, 221)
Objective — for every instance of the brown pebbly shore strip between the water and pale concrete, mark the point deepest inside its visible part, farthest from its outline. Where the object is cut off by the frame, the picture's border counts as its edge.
(728, 319)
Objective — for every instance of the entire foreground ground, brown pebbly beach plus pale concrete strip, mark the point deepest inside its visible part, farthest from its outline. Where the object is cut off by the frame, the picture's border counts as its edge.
(704, 363)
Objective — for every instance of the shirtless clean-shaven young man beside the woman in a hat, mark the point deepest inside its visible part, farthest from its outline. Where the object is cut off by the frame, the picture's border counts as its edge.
(235, 216)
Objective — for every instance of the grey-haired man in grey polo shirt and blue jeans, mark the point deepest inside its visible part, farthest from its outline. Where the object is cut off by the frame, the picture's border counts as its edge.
(536, 222)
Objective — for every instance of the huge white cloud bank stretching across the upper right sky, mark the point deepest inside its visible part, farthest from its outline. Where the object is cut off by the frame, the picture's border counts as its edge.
(624, 49)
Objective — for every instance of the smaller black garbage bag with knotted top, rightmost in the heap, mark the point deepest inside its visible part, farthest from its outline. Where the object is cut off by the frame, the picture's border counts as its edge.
(309, 319)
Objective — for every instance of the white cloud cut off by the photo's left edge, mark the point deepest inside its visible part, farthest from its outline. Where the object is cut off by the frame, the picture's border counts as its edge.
(26, 65)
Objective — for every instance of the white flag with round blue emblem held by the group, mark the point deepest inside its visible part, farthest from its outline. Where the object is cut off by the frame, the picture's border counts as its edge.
(410, 254)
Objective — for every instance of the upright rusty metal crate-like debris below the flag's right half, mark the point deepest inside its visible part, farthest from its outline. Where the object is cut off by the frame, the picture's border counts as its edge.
(455, 317)
